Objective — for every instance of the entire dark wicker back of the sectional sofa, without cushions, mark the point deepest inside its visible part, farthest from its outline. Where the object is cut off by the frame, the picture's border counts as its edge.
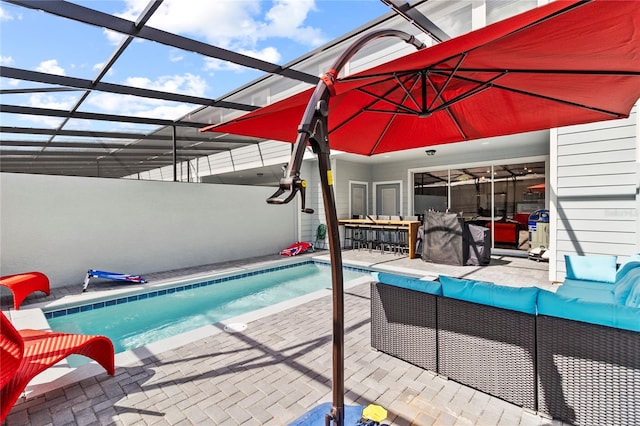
(580, 373)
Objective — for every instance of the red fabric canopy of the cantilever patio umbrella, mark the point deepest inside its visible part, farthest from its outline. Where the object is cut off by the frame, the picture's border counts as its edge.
(568, 62)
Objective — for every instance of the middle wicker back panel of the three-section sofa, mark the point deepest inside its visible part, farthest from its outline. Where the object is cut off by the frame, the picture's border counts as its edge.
(488, 348)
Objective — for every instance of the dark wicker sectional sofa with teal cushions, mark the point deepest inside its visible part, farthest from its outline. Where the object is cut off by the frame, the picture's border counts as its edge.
(568, 358)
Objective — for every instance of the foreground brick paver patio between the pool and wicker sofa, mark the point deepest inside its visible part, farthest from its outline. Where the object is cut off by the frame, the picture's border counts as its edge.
(269, 374)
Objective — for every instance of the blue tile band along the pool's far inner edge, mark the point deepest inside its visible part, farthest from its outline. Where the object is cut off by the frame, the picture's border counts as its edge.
(155, 293)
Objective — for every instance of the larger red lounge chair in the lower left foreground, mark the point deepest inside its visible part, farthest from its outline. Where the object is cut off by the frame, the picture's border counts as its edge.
(26, 353)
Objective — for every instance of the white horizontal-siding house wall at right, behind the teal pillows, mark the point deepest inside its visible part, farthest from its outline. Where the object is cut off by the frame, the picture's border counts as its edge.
(594, 181)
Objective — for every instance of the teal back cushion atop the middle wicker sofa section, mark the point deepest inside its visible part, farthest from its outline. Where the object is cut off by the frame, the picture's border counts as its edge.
(522, 299)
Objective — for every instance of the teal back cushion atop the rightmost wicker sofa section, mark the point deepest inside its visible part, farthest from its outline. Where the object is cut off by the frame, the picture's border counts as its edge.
(607, 314)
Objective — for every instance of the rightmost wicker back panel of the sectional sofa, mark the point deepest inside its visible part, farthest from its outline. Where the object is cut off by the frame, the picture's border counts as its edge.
(588, 374)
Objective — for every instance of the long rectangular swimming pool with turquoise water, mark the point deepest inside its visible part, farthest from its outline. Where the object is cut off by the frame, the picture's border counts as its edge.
(137, 320)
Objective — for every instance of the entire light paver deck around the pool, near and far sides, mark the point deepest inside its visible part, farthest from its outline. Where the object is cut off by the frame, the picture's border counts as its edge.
(276, 369)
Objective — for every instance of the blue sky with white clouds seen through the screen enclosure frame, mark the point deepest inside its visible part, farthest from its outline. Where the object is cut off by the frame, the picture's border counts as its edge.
(277, 31)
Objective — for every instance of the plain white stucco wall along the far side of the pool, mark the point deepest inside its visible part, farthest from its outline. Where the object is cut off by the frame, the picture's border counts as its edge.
(63, 226)
